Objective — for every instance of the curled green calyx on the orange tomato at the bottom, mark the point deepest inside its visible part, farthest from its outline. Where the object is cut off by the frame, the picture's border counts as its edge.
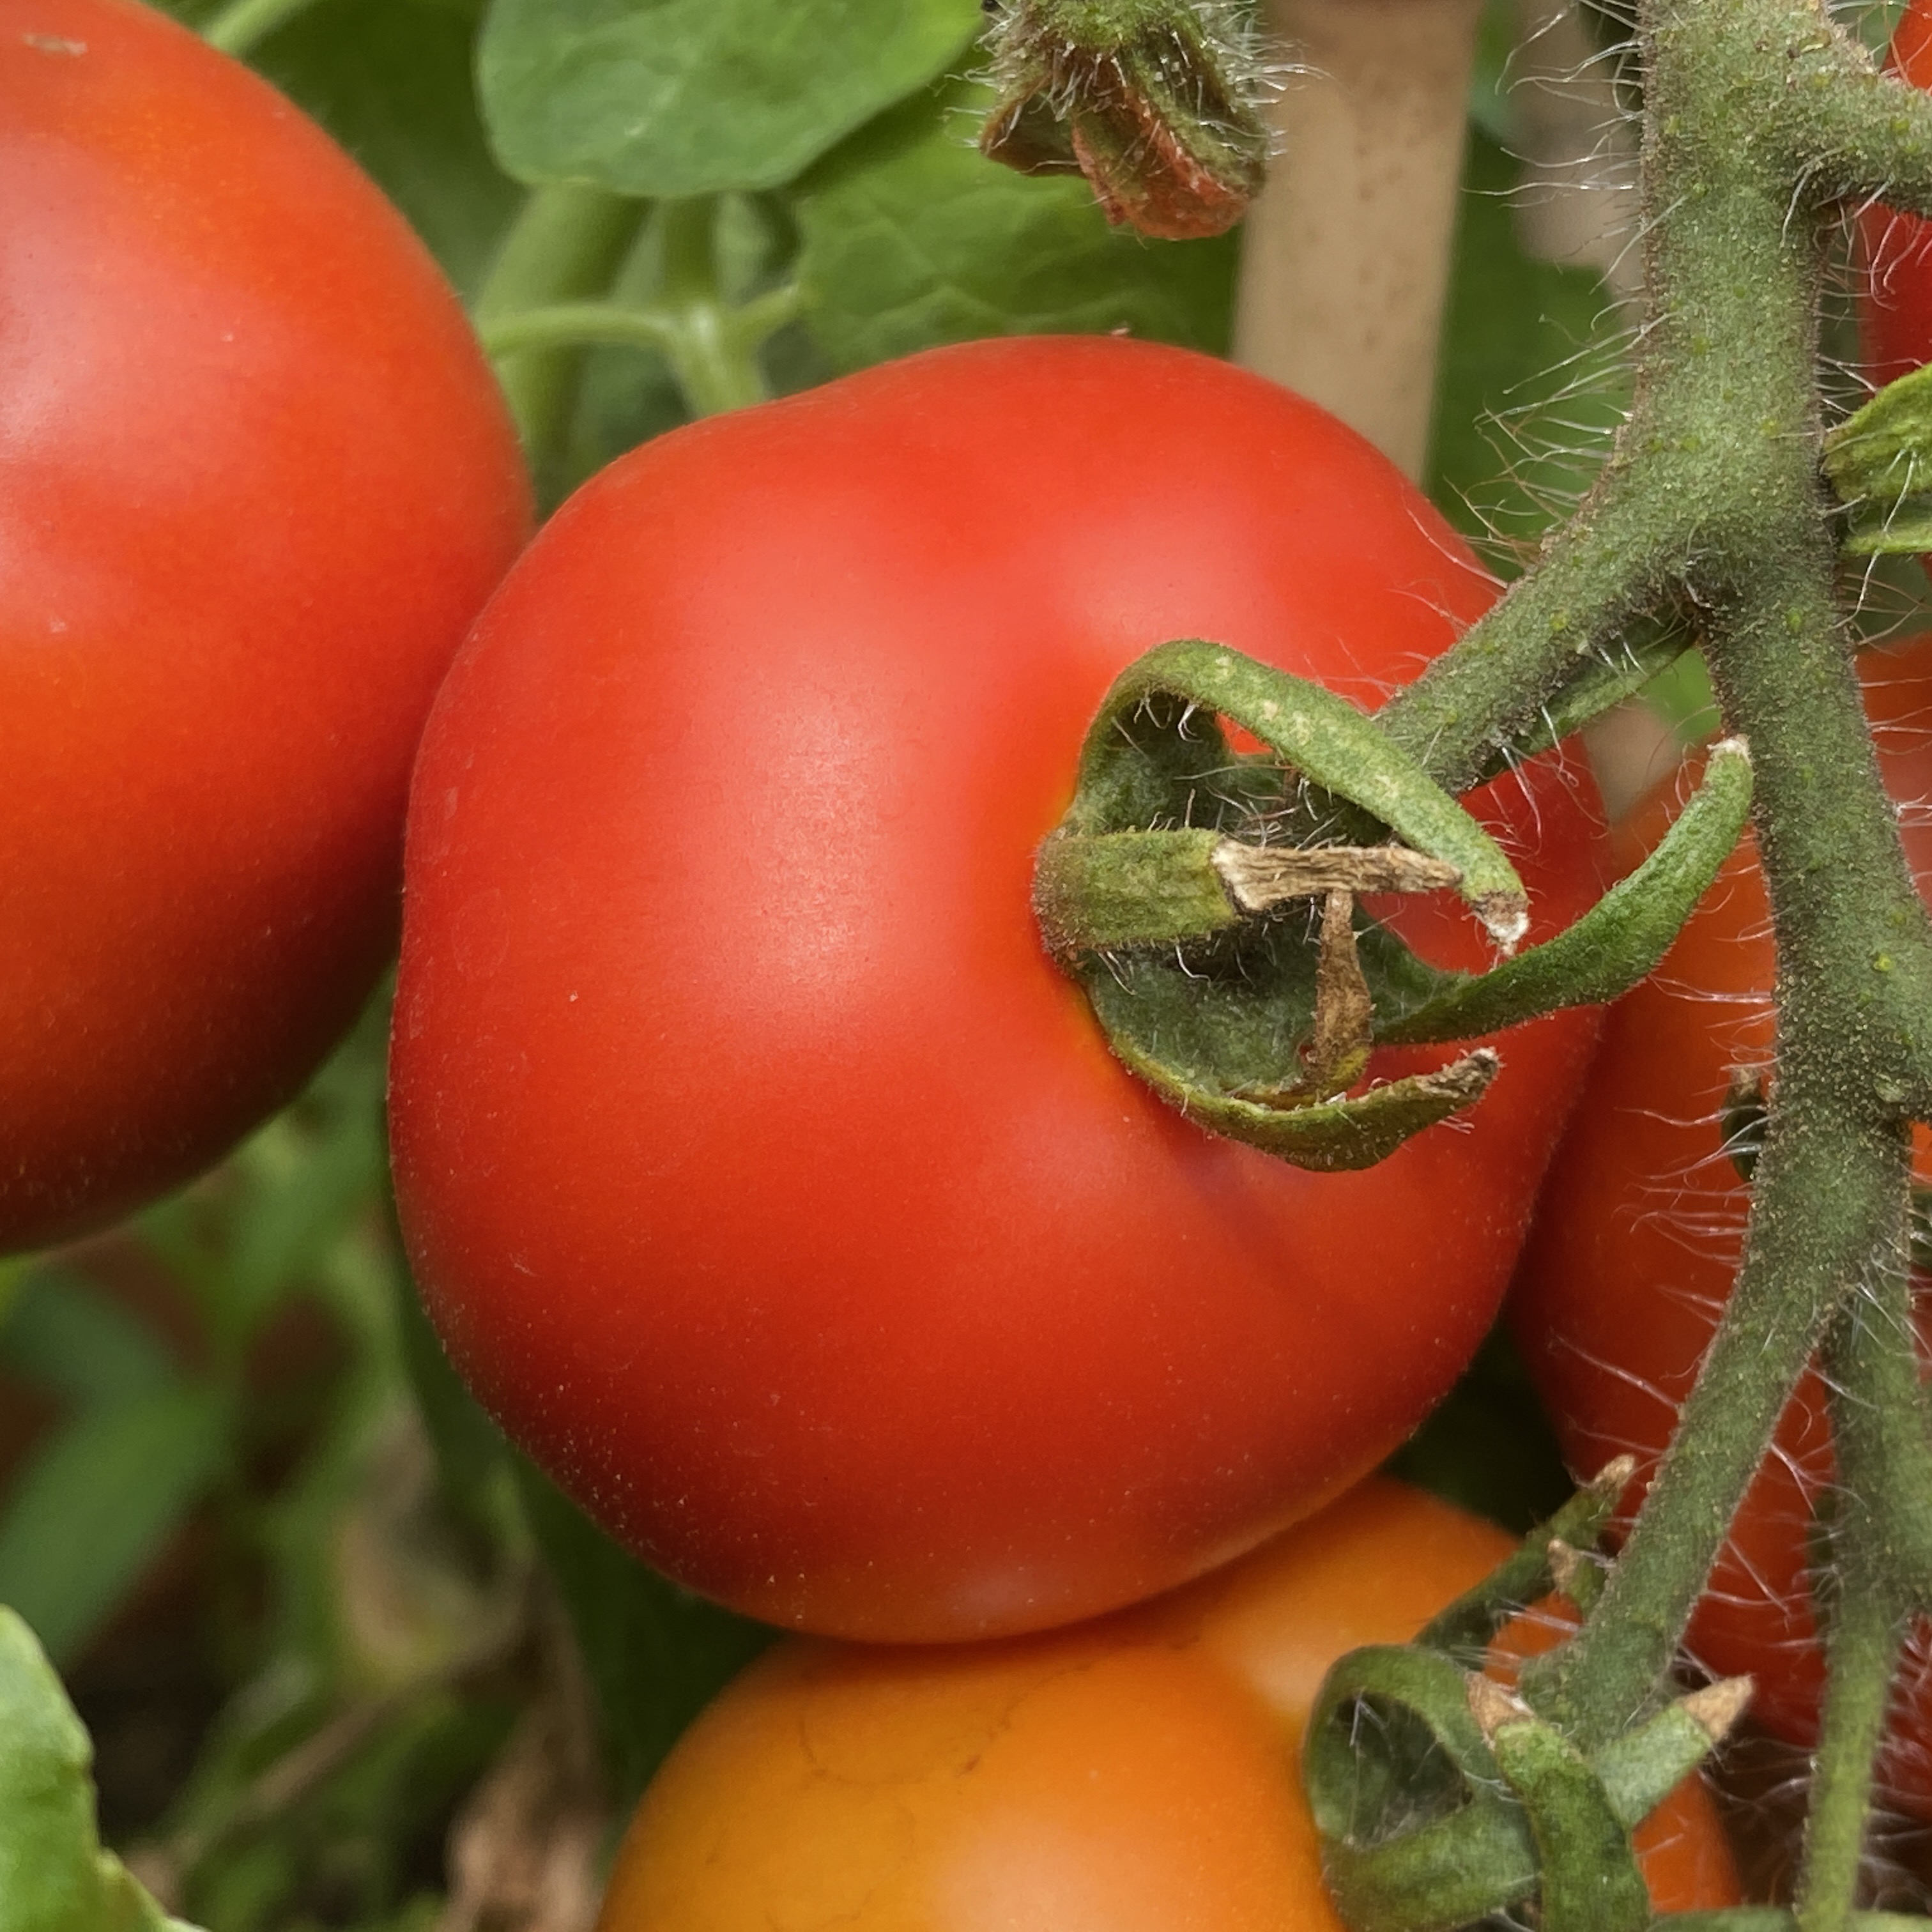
(1442, 1800)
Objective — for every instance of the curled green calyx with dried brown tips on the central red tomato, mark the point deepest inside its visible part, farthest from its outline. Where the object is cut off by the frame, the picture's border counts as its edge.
(1207, 901)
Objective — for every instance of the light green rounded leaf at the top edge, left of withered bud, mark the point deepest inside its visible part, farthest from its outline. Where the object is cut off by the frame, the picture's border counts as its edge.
(695, 98)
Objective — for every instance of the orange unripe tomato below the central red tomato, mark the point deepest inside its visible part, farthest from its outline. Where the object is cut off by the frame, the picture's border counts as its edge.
(1139, 1775)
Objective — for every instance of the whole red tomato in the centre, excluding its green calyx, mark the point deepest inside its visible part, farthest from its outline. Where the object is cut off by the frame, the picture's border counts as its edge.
(760, 1172)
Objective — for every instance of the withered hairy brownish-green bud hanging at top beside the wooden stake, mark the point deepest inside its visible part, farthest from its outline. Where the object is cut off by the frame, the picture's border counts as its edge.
(1154, 101)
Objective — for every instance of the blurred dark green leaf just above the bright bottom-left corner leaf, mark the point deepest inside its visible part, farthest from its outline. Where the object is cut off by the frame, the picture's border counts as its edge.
(96, 1504)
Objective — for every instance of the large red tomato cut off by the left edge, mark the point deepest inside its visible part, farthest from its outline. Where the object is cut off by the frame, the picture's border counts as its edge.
(256, 480)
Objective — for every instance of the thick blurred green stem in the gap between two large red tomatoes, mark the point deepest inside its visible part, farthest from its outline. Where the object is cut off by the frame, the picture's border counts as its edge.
(565, 246)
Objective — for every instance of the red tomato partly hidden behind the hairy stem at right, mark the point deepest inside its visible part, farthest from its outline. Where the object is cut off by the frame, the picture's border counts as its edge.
(1639, 1234)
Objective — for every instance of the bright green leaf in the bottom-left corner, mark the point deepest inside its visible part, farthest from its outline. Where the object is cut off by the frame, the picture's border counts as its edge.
(53, 1873)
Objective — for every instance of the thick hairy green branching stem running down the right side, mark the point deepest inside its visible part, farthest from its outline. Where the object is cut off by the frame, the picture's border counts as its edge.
(1761, 121)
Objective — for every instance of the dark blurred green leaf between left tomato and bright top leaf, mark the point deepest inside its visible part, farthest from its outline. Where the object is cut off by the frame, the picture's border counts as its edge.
(391, 80)
